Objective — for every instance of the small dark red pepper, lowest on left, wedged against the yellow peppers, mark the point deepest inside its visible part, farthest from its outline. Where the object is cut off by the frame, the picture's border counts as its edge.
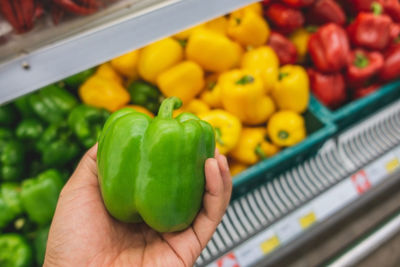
(283, 47)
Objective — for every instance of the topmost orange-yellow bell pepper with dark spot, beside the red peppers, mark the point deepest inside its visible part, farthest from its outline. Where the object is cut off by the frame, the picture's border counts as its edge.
(248, 28)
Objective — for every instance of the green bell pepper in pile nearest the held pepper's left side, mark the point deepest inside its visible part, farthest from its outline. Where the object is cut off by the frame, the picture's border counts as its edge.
(87, 122)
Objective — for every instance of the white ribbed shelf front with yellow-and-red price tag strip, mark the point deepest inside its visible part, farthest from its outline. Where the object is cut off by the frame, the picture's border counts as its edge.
(279, 211)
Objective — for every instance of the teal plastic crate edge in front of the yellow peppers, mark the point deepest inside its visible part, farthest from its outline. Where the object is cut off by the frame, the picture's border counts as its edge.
(319, 129)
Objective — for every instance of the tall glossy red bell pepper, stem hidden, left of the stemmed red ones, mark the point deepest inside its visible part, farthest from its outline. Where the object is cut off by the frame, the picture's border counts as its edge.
(329, 48)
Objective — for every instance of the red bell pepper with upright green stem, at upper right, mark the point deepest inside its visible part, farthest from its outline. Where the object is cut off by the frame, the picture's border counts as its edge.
(370, 30)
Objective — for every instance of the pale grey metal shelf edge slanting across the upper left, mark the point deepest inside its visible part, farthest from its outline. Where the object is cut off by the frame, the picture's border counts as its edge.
(47, 55)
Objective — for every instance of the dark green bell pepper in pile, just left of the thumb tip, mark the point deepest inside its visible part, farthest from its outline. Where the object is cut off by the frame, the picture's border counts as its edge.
(57, 145)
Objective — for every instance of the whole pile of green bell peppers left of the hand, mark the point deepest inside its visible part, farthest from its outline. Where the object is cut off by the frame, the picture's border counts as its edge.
(42, 137)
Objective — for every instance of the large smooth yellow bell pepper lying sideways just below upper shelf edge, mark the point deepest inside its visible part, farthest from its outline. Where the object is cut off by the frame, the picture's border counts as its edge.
(213, 51)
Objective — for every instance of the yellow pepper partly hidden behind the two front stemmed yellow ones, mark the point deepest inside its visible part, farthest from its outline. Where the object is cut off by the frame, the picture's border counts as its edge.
(265, 62)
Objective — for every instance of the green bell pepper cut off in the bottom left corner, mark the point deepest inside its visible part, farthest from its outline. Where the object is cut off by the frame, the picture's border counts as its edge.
(15, 251)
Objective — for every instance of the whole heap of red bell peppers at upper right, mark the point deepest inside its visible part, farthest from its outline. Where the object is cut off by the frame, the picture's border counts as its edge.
(353, 47)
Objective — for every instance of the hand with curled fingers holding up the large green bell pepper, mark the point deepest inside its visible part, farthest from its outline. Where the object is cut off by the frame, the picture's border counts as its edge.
(83, 233)
